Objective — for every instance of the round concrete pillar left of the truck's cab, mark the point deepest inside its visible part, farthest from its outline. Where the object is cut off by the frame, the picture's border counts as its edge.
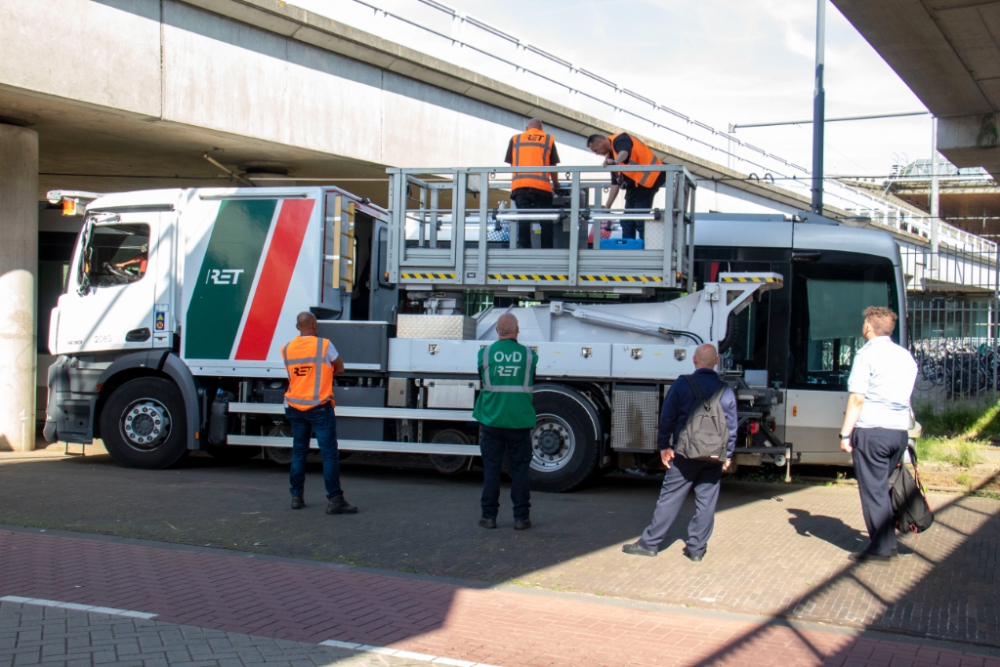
(18, 269)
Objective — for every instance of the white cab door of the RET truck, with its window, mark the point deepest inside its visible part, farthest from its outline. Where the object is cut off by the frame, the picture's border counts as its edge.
(111, 289)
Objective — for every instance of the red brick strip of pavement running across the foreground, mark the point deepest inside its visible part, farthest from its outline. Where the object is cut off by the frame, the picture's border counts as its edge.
(304, 602)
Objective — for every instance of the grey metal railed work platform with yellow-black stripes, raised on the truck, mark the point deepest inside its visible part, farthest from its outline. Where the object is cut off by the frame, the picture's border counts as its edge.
(441, 241)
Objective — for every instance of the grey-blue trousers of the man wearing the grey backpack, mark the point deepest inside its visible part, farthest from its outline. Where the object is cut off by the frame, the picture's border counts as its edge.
(705, 477)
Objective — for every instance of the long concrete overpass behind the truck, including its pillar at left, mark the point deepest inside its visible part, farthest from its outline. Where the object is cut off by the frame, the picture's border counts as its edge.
(110, 95)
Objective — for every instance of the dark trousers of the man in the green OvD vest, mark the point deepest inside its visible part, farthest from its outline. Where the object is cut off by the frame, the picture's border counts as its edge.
(493, 442)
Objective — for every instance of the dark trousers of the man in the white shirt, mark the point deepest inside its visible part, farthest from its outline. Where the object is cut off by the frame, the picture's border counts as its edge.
(876, 453)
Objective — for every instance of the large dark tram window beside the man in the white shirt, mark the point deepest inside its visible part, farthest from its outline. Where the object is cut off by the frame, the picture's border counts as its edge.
(827, 301)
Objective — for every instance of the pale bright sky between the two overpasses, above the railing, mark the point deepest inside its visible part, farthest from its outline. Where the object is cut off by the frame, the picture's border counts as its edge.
(734, 61)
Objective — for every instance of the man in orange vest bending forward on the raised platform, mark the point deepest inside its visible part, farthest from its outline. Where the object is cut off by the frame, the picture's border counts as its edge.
(640, 186)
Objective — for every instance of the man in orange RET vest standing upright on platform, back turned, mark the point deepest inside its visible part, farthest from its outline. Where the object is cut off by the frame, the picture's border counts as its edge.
(533, 148)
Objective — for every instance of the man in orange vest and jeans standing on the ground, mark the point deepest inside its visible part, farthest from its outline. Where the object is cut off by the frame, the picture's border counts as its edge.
(312, 363)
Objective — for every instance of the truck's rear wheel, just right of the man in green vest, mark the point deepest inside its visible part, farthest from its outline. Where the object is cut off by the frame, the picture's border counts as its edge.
(563, 442)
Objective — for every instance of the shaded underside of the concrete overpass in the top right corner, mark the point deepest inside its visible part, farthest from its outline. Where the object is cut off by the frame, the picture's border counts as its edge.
(948, 53)
